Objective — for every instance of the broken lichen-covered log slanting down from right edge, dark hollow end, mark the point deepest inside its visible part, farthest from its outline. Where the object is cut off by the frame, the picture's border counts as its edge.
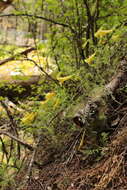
(83, 116)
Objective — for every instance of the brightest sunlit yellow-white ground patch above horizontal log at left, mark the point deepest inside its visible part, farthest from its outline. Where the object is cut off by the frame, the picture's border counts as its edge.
(24, 67)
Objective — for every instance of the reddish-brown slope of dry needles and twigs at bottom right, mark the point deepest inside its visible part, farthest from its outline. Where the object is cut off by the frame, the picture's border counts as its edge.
(76, 170)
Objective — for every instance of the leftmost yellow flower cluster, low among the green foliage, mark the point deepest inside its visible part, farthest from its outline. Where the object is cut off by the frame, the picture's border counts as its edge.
(29, 118)
